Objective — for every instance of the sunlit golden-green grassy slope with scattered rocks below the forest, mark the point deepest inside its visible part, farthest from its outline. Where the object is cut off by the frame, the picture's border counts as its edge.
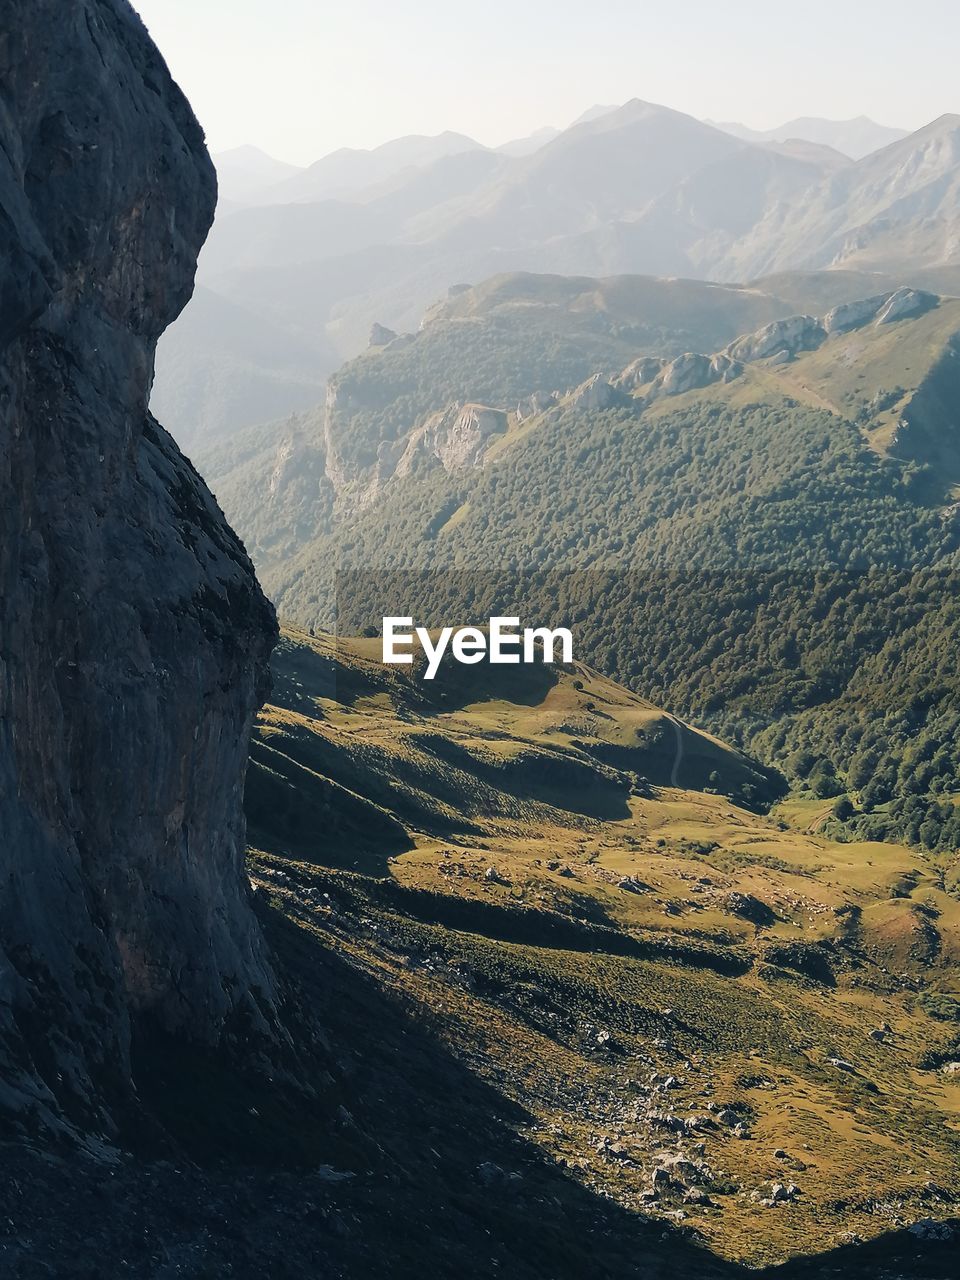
(639, 956)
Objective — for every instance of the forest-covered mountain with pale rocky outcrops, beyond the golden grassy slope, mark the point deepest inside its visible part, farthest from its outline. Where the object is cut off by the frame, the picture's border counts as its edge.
(804, 472)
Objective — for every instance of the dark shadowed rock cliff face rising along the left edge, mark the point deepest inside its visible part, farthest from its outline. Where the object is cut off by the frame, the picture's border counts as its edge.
(134, 637)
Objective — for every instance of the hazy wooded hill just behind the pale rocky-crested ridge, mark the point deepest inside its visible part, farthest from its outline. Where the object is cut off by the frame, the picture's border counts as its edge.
(511, 340)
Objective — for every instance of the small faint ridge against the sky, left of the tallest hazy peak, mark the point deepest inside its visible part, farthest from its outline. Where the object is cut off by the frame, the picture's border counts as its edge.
(348, 173)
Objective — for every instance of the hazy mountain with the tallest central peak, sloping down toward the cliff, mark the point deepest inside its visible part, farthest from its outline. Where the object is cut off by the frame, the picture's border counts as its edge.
(598, 200)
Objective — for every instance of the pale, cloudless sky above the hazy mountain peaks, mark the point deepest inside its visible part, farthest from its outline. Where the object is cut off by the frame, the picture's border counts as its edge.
(300, 79)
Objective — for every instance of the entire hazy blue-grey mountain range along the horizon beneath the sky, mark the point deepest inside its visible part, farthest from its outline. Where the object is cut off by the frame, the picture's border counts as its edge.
(377, 237)
